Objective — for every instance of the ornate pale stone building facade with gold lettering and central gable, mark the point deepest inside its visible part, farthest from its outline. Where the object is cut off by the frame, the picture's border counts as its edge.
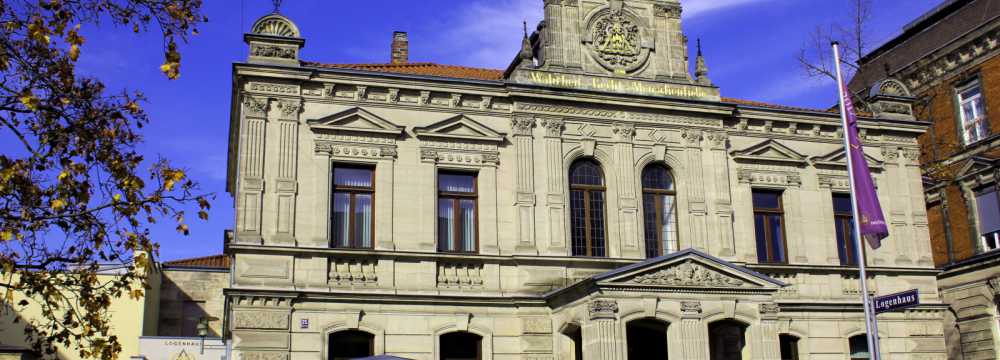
(592, 201)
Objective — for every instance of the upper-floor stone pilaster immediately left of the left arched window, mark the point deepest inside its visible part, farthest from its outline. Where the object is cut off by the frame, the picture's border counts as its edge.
(555, 180)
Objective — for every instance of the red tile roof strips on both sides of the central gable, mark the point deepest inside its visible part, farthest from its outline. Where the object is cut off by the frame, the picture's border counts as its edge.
(463, 72)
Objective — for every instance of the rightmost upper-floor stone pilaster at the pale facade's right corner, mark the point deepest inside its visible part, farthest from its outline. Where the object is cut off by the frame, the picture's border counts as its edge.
(921, 252)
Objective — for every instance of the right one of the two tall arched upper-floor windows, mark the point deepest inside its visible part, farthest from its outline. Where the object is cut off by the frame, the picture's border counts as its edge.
(659, 203)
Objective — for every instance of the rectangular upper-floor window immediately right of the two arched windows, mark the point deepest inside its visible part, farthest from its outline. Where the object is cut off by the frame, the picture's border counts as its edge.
(769, 227)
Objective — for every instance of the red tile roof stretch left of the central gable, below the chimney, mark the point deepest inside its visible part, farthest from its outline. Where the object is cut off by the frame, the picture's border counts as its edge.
(420, 68)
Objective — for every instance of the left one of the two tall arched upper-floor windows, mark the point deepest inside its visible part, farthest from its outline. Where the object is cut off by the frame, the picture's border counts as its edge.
(586, 199)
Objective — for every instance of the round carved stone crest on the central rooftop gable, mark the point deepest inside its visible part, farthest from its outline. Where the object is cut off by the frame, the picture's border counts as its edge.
(616, 39)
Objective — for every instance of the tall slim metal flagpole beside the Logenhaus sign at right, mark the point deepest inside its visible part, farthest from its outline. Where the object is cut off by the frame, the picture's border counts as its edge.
(871, 325)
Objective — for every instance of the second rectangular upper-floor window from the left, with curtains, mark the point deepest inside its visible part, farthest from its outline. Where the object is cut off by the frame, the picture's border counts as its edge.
(457, 213)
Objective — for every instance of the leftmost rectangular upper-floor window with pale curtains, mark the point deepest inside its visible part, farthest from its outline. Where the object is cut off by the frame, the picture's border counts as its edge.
(352, 222)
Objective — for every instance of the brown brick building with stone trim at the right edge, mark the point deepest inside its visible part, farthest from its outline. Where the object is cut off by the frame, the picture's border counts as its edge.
(948, 60)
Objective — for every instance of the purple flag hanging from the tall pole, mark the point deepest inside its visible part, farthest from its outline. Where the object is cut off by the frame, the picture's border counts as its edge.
(873, 227)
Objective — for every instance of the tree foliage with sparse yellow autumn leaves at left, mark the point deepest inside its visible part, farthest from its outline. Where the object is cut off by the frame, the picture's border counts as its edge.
(75, 193)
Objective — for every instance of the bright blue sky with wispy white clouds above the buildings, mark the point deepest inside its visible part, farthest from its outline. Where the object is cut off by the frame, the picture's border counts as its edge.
(750, 45)
